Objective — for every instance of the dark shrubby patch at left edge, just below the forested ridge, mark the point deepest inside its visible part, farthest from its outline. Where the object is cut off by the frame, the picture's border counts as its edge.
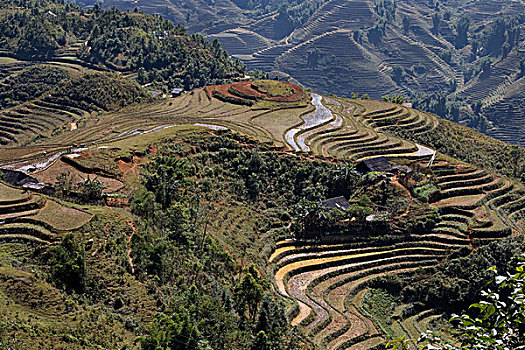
(29, 84)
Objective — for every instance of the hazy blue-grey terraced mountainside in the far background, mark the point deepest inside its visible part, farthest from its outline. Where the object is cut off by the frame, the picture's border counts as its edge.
(447, 56)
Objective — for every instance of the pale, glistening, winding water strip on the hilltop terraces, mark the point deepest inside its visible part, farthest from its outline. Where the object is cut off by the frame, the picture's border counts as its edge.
(320, 116)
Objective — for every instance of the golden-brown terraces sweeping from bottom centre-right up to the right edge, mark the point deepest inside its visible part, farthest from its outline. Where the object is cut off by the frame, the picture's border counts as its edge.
(328, 281)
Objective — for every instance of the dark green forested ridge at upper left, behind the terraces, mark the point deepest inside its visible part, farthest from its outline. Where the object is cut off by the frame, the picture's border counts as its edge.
(159, 51)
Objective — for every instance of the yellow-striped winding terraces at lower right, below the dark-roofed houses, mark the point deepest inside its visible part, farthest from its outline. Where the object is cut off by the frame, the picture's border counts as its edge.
(329, 281)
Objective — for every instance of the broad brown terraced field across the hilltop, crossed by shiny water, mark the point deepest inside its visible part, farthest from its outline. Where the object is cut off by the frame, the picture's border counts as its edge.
(348, 129)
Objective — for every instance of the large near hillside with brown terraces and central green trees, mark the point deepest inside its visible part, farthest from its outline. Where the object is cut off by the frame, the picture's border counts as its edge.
(201, 204)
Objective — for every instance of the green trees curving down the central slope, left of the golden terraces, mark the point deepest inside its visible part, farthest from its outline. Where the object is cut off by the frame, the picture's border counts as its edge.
(232, 308)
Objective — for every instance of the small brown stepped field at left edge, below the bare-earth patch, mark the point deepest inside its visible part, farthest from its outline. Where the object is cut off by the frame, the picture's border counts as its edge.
(26, 217)
